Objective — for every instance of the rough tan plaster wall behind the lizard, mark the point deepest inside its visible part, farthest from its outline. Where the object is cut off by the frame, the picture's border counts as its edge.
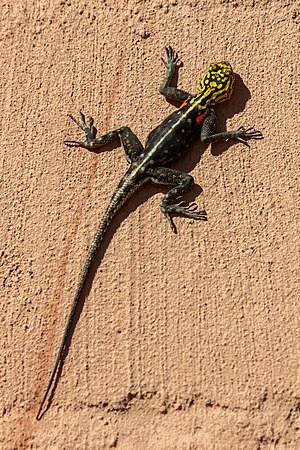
(187, 341)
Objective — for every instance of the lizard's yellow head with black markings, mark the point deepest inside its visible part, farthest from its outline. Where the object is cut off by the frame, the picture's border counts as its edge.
(216, 85)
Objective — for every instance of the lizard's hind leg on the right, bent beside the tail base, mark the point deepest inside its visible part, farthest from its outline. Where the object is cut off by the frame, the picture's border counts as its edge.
(181, 182)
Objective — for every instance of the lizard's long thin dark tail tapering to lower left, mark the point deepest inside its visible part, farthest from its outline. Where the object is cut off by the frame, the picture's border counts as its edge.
(124, 190)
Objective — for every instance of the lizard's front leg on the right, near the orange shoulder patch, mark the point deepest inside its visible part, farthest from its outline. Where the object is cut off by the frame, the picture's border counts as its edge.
(241, 134)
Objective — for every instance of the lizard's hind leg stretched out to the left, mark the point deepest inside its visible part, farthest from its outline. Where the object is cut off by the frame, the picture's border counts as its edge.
(130, 142)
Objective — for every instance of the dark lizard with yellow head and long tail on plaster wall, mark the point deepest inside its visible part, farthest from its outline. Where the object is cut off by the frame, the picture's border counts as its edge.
(195, 118)
